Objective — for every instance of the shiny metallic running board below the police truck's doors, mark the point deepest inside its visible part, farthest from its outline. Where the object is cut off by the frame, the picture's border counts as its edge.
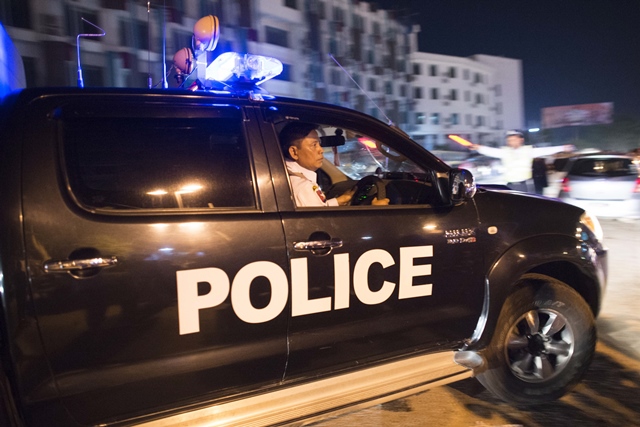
(327, 397)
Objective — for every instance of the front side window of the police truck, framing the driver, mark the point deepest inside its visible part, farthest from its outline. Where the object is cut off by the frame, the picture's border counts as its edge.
(357, 163)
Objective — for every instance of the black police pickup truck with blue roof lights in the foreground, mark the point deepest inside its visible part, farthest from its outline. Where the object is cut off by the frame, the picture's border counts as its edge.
(155, 268)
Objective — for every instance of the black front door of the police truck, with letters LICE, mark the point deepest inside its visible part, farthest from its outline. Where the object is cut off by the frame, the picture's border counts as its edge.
(373, 282)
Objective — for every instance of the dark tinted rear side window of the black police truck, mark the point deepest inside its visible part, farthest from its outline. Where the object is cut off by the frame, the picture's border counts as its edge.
(158, 163)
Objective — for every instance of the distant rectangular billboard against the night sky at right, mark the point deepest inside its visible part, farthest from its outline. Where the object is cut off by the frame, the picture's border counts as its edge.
(577, 115)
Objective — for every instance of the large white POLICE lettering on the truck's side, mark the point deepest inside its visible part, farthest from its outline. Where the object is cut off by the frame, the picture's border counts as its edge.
(190, 302)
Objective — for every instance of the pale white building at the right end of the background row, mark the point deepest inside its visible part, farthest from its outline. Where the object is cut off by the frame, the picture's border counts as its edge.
(476, 98)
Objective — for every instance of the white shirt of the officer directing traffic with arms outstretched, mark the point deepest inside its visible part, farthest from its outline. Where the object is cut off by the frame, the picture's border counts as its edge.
(518, 161)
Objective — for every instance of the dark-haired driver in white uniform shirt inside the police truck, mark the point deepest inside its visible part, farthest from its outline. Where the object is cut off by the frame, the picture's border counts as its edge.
(301, 146)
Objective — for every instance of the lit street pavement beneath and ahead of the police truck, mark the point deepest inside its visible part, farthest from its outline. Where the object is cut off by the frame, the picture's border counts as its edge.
(608, 396)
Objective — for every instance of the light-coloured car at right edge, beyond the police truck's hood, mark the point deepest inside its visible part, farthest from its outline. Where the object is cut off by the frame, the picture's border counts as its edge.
(606, 184)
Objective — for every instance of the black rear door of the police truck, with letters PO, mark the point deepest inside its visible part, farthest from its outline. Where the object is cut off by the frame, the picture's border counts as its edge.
(139, 216)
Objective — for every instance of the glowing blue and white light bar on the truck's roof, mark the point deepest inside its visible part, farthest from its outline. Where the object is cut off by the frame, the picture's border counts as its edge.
(234, 68)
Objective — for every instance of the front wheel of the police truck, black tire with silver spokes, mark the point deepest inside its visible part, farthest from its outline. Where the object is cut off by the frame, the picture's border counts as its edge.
(543, 343)
